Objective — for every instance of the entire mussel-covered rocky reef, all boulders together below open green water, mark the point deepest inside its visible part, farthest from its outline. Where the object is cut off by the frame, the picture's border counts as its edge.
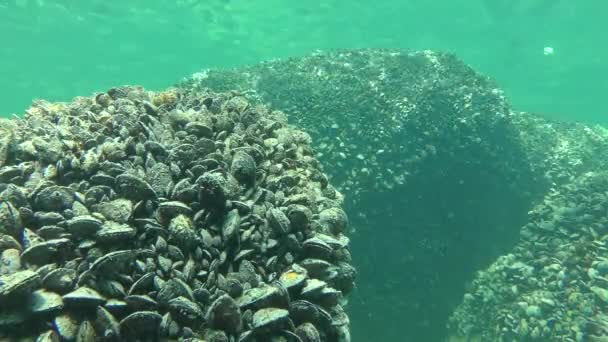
(199, 213)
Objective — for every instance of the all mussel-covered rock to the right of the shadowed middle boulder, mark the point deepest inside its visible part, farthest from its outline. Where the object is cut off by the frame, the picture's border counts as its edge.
(552, 285)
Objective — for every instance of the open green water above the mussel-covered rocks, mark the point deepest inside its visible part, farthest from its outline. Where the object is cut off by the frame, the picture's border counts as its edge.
(60, 49)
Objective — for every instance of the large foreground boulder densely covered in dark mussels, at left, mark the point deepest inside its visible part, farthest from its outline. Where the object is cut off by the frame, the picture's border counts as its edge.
(134, 215)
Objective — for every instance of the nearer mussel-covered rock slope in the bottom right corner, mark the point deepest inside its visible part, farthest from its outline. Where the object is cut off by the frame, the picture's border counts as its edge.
(553, 285)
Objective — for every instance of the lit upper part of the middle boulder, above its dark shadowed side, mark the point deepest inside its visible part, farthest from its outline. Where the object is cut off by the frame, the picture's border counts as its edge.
(387, 115)
